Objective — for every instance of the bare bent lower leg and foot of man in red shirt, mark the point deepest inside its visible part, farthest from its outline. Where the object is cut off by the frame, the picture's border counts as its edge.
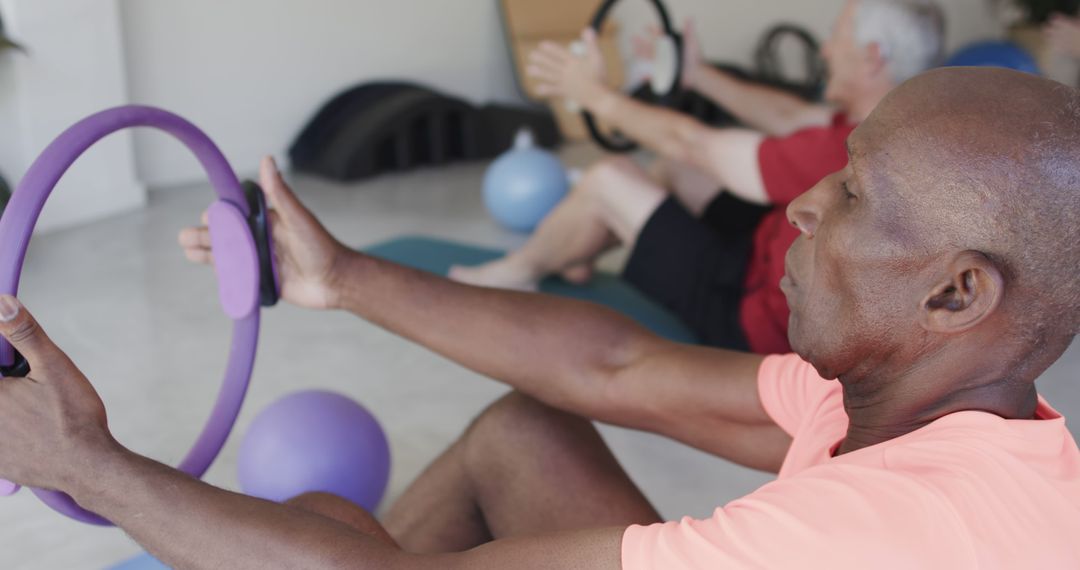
(610, 206)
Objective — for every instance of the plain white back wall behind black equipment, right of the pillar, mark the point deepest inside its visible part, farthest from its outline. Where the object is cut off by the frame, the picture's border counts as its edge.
(252, 72)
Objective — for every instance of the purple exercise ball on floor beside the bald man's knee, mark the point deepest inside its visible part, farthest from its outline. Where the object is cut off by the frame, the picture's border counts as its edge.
(316, 441)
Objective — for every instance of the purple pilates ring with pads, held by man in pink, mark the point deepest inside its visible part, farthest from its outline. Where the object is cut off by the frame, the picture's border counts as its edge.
(240, 238)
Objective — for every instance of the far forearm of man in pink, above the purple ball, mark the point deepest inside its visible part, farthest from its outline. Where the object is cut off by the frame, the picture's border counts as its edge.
(560, 351)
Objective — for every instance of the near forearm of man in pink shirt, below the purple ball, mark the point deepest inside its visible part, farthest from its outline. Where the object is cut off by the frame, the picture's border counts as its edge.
(191, 525)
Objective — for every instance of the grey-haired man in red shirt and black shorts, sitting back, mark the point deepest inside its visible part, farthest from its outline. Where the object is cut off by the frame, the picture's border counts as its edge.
(715, 257)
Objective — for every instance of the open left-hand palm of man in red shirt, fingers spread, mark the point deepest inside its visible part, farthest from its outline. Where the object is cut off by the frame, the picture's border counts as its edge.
(562, 74)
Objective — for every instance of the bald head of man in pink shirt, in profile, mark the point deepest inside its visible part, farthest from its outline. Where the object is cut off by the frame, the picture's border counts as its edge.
(962, 229)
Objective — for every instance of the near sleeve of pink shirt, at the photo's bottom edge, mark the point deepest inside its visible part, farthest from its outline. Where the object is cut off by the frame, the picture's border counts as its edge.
(827, 519)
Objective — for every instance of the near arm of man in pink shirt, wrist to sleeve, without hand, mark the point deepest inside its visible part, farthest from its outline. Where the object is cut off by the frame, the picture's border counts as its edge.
(191, 525)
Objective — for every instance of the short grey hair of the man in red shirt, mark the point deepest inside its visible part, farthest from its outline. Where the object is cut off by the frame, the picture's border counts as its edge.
(911, 34)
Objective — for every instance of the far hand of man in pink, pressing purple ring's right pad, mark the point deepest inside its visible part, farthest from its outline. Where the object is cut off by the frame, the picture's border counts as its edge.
(308, 256)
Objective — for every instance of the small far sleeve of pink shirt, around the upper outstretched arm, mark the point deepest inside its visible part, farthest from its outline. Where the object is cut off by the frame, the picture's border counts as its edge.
(791, 390)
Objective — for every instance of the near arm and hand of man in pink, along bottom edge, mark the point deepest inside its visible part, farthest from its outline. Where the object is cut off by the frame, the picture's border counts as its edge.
(57, 438)
